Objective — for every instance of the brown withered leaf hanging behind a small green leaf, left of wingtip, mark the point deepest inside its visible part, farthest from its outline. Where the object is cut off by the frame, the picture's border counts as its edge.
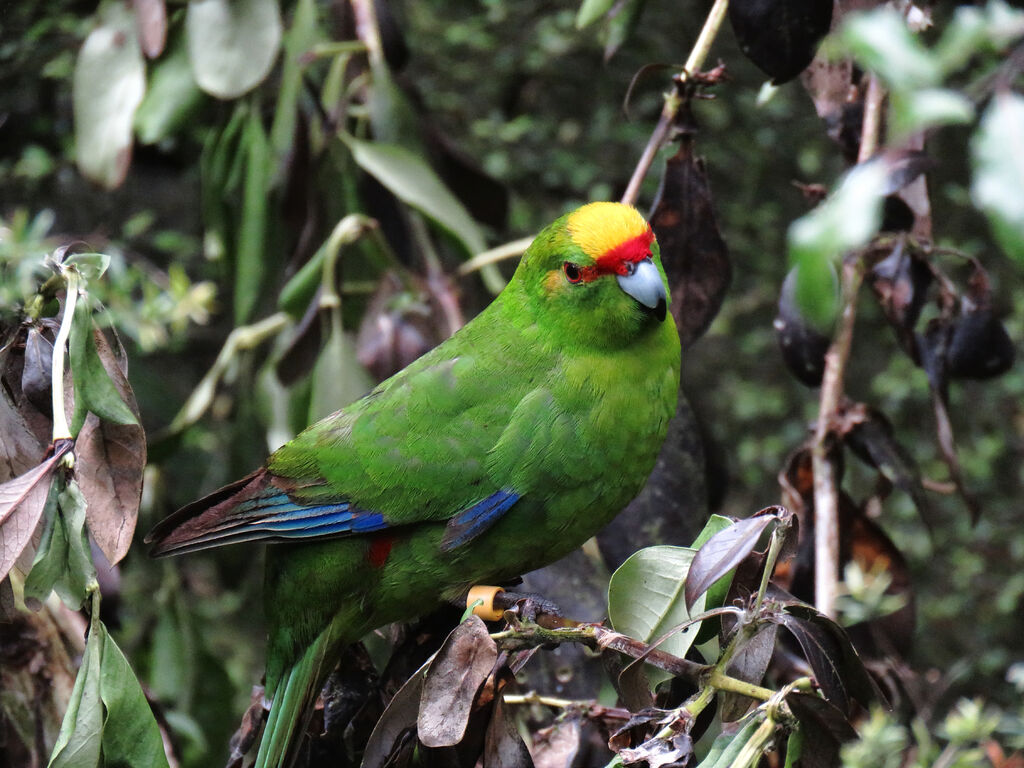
(110, 461)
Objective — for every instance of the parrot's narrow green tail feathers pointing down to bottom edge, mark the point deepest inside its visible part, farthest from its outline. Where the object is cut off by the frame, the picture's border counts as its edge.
(293, 704)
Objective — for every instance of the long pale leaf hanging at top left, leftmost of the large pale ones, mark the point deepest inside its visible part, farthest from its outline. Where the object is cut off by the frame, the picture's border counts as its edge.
(109, 83)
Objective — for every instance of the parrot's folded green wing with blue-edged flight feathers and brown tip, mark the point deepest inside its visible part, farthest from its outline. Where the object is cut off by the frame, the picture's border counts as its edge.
(419, 449)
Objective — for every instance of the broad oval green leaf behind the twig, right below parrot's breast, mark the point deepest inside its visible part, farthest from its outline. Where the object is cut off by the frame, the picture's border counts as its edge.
(646, 600)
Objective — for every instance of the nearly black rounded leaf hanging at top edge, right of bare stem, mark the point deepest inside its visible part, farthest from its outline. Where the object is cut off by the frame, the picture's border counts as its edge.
(781, 36)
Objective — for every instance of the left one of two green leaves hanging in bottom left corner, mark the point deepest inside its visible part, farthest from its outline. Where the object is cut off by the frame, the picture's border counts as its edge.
(78, 744)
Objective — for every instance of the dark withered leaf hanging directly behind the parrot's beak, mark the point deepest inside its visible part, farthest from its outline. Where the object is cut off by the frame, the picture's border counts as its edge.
(696, 258)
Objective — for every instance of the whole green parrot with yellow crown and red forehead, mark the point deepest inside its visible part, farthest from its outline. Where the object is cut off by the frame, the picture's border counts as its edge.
(498, 452)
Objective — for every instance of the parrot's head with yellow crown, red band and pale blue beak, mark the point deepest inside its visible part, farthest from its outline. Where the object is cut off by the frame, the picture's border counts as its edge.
(596, 275)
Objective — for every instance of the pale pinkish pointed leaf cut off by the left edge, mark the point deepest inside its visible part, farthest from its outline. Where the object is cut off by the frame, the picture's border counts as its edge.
(22, 503)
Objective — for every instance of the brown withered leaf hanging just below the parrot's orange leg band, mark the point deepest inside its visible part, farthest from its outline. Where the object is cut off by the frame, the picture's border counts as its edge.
(453, 679)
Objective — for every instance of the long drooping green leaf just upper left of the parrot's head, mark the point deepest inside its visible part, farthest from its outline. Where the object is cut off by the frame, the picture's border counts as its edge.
(414, 183)
